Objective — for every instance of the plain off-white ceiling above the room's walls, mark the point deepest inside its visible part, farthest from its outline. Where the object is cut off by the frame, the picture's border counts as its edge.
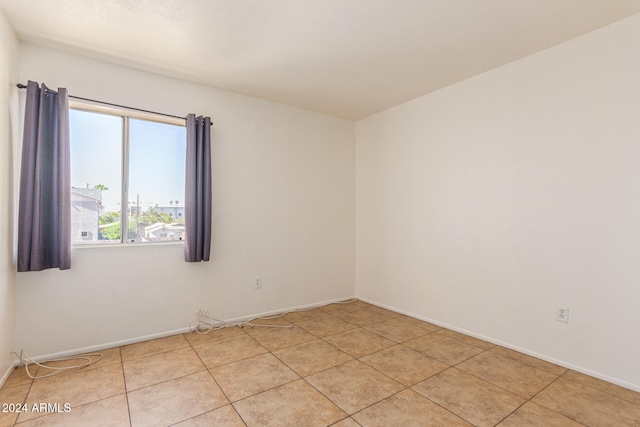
(347, 58)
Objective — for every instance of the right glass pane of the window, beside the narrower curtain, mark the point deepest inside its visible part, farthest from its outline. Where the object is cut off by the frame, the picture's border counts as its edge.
(156, 181)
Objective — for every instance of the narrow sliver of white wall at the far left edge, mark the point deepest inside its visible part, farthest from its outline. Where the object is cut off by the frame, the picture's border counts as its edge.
(8, 138)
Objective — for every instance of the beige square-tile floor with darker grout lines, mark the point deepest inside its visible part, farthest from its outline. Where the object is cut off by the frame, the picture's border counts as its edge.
(343, 365)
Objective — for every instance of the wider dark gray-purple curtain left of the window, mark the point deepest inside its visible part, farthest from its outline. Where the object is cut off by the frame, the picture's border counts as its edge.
(44, 222)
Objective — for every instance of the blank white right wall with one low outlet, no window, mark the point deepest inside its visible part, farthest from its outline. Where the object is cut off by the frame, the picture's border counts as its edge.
(486, 204)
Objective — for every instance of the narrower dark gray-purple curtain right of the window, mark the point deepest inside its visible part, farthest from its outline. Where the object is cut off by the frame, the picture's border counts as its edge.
(198, 189)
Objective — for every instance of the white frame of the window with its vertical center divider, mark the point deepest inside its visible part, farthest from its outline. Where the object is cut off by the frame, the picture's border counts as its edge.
(126, 114)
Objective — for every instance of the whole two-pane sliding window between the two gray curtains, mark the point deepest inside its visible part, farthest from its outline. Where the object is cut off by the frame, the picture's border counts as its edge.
(127, 176)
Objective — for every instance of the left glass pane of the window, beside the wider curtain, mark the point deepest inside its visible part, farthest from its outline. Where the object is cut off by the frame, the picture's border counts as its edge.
(96, 157)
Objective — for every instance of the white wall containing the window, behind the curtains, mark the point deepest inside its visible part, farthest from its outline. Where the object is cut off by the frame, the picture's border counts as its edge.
(283, 208)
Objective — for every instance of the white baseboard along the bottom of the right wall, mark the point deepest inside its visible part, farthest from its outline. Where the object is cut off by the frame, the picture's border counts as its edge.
(565, 364)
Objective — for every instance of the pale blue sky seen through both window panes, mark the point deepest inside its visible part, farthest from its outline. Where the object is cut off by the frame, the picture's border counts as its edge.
(156, 158)
